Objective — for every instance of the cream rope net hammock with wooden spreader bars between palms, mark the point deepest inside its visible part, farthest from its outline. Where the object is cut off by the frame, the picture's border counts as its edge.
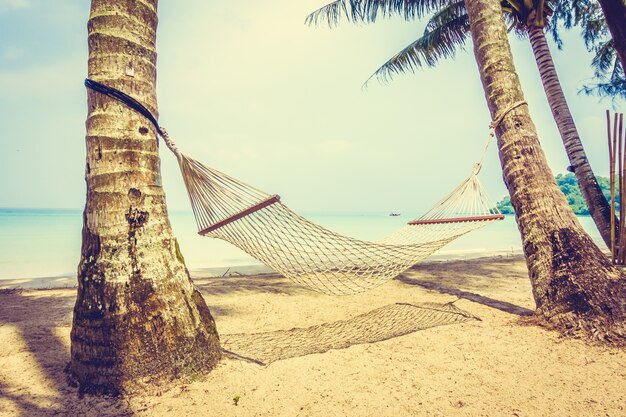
(261, 225)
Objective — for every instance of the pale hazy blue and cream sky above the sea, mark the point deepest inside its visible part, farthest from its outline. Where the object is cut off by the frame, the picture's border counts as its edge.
(247, 88)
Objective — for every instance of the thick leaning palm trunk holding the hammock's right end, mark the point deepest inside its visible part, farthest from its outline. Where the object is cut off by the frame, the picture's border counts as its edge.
(576, 288)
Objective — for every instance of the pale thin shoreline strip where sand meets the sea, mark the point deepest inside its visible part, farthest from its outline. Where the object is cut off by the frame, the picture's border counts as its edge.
(69, 281)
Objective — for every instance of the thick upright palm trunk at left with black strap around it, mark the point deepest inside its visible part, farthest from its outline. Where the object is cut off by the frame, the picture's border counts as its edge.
(138, 318)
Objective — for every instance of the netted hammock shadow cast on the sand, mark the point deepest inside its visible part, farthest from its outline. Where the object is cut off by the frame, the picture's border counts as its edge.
(380, 324)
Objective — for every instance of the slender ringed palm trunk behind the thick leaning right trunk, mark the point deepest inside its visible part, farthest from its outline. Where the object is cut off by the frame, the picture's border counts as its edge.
(597, 203)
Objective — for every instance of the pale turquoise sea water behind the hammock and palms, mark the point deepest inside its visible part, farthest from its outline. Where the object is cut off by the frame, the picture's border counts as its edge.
(46, 243)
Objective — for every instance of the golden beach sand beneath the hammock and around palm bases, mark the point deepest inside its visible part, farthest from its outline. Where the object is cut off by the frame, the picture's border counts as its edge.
(496, 366)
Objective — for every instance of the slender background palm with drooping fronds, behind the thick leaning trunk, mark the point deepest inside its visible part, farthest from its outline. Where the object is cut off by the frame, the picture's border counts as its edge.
(447, 30)
